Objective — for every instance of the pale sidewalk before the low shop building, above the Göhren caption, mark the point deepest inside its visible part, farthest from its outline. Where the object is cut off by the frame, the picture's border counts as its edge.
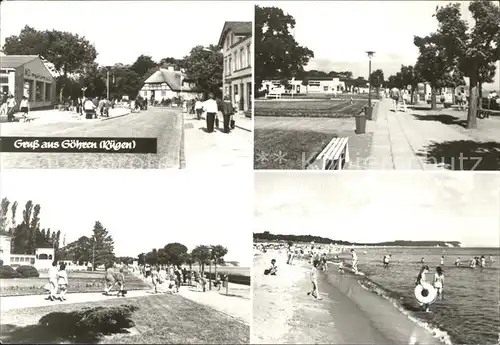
(54, 116)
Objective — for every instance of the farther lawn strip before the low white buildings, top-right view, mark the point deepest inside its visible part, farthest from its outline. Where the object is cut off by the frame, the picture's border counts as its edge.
(320, 108)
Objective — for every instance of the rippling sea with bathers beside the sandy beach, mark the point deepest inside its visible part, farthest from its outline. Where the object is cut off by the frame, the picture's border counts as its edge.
(470, 310)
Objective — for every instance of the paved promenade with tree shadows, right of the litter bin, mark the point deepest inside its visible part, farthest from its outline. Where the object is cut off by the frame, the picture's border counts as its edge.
(402, 139)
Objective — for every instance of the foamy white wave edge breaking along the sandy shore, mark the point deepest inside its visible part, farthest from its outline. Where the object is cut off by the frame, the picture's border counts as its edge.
(394, 298)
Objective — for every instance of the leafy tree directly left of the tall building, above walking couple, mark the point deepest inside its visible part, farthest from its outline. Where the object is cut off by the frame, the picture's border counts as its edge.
(204, 67)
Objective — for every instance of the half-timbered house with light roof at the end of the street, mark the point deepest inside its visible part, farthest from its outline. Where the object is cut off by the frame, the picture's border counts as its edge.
(167, 83)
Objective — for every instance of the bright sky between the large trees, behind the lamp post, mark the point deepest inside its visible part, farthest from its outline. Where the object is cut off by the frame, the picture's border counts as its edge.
(340, 32)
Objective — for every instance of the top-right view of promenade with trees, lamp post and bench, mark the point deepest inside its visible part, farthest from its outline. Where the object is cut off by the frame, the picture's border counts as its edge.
(418, 95)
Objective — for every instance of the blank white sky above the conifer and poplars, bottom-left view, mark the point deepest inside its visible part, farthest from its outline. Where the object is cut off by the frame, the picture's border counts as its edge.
(141, 209)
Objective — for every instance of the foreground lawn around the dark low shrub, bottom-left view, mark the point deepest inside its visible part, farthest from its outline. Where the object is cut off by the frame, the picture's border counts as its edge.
(159, 319)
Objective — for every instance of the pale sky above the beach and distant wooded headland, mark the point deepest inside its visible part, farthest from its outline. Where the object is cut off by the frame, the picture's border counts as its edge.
(376, 207)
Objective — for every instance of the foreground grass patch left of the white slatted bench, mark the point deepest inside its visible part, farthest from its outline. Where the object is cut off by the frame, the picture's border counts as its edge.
(287, 149)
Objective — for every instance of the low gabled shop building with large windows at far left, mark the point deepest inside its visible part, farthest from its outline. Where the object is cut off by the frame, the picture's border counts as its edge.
(27, 75)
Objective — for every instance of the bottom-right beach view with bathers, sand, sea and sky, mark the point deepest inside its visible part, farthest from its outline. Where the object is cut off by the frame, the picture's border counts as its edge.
(401, 265)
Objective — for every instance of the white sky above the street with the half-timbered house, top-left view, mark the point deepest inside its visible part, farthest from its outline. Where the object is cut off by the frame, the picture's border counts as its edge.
(123, 30)
